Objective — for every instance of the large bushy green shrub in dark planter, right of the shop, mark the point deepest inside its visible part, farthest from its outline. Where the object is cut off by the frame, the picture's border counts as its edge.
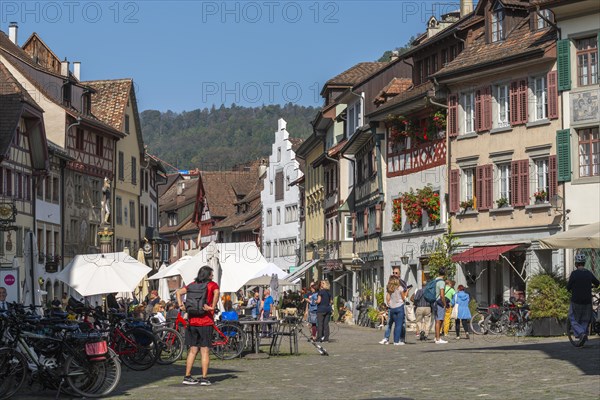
(549, 301)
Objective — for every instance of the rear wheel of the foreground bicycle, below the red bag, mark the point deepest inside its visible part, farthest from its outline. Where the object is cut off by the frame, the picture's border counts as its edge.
(93, 378)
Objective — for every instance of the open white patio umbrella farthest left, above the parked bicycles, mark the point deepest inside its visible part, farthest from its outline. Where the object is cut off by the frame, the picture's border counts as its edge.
(92, 274)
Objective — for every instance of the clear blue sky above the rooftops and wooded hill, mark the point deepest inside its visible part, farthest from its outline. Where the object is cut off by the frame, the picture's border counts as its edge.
(185, 55)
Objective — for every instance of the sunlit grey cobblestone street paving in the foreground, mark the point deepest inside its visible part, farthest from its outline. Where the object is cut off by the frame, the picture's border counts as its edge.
(360, 368)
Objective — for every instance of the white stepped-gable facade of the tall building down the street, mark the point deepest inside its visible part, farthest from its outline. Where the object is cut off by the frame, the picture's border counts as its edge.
(290, 167)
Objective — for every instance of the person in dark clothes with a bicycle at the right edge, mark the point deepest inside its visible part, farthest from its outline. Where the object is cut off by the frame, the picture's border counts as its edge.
(580, 285)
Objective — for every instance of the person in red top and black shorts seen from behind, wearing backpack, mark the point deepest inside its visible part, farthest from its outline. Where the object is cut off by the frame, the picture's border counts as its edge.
(199, 331)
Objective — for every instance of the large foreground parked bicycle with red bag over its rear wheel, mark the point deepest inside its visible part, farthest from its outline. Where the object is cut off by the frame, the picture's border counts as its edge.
(55, 355)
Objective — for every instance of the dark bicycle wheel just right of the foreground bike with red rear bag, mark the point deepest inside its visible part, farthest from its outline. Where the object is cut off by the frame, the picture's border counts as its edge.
(137, 348)
